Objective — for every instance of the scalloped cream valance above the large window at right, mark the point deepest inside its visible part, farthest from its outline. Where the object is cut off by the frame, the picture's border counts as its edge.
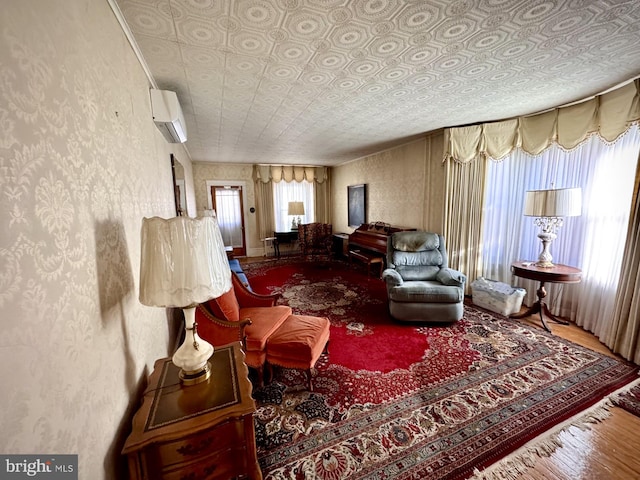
(609, 115)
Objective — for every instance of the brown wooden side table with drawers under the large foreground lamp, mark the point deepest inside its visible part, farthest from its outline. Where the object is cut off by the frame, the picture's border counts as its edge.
(202, 431)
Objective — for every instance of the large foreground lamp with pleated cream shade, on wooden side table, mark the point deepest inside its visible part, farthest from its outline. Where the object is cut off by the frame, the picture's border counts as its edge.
(183, 263)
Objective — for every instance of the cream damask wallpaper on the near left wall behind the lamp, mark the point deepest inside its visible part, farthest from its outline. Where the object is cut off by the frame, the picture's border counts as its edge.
(81, 164)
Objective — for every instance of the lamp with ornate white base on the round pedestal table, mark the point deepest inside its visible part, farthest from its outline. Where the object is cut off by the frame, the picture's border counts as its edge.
(550, 207)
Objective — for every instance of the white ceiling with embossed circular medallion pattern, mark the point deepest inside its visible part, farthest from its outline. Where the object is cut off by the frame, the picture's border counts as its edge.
(321, 82)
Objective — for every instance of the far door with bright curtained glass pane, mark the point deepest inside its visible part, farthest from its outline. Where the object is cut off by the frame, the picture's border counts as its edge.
(227, 203)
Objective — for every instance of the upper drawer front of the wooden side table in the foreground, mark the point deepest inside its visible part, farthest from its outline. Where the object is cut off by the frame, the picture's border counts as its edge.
(222, 437)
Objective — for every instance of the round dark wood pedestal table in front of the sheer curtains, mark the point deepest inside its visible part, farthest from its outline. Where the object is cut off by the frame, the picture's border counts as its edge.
(555, 274)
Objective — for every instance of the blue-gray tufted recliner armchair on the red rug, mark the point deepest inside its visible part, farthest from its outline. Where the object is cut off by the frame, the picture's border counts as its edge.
(420, 286)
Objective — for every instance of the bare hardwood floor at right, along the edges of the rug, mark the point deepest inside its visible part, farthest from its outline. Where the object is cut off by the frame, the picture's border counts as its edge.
(607, 451)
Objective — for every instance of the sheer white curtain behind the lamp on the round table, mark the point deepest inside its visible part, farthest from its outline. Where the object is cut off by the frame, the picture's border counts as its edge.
(593, 242)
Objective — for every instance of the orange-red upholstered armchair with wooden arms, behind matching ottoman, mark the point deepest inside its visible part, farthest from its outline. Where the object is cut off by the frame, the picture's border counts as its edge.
(242, 315)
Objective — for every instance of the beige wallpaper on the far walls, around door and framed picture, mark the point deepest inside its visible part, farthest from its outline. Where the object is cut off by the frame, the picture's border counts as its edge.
(405, 187)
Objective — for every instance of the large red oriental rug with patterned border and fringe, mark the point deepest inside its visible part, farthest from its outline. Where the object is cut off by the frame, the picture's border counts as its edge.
(399, 401)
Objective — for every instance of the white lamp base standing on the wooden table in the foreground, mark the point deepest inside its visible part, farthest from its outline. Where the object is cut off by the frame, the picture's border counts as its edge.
(192, 357)
